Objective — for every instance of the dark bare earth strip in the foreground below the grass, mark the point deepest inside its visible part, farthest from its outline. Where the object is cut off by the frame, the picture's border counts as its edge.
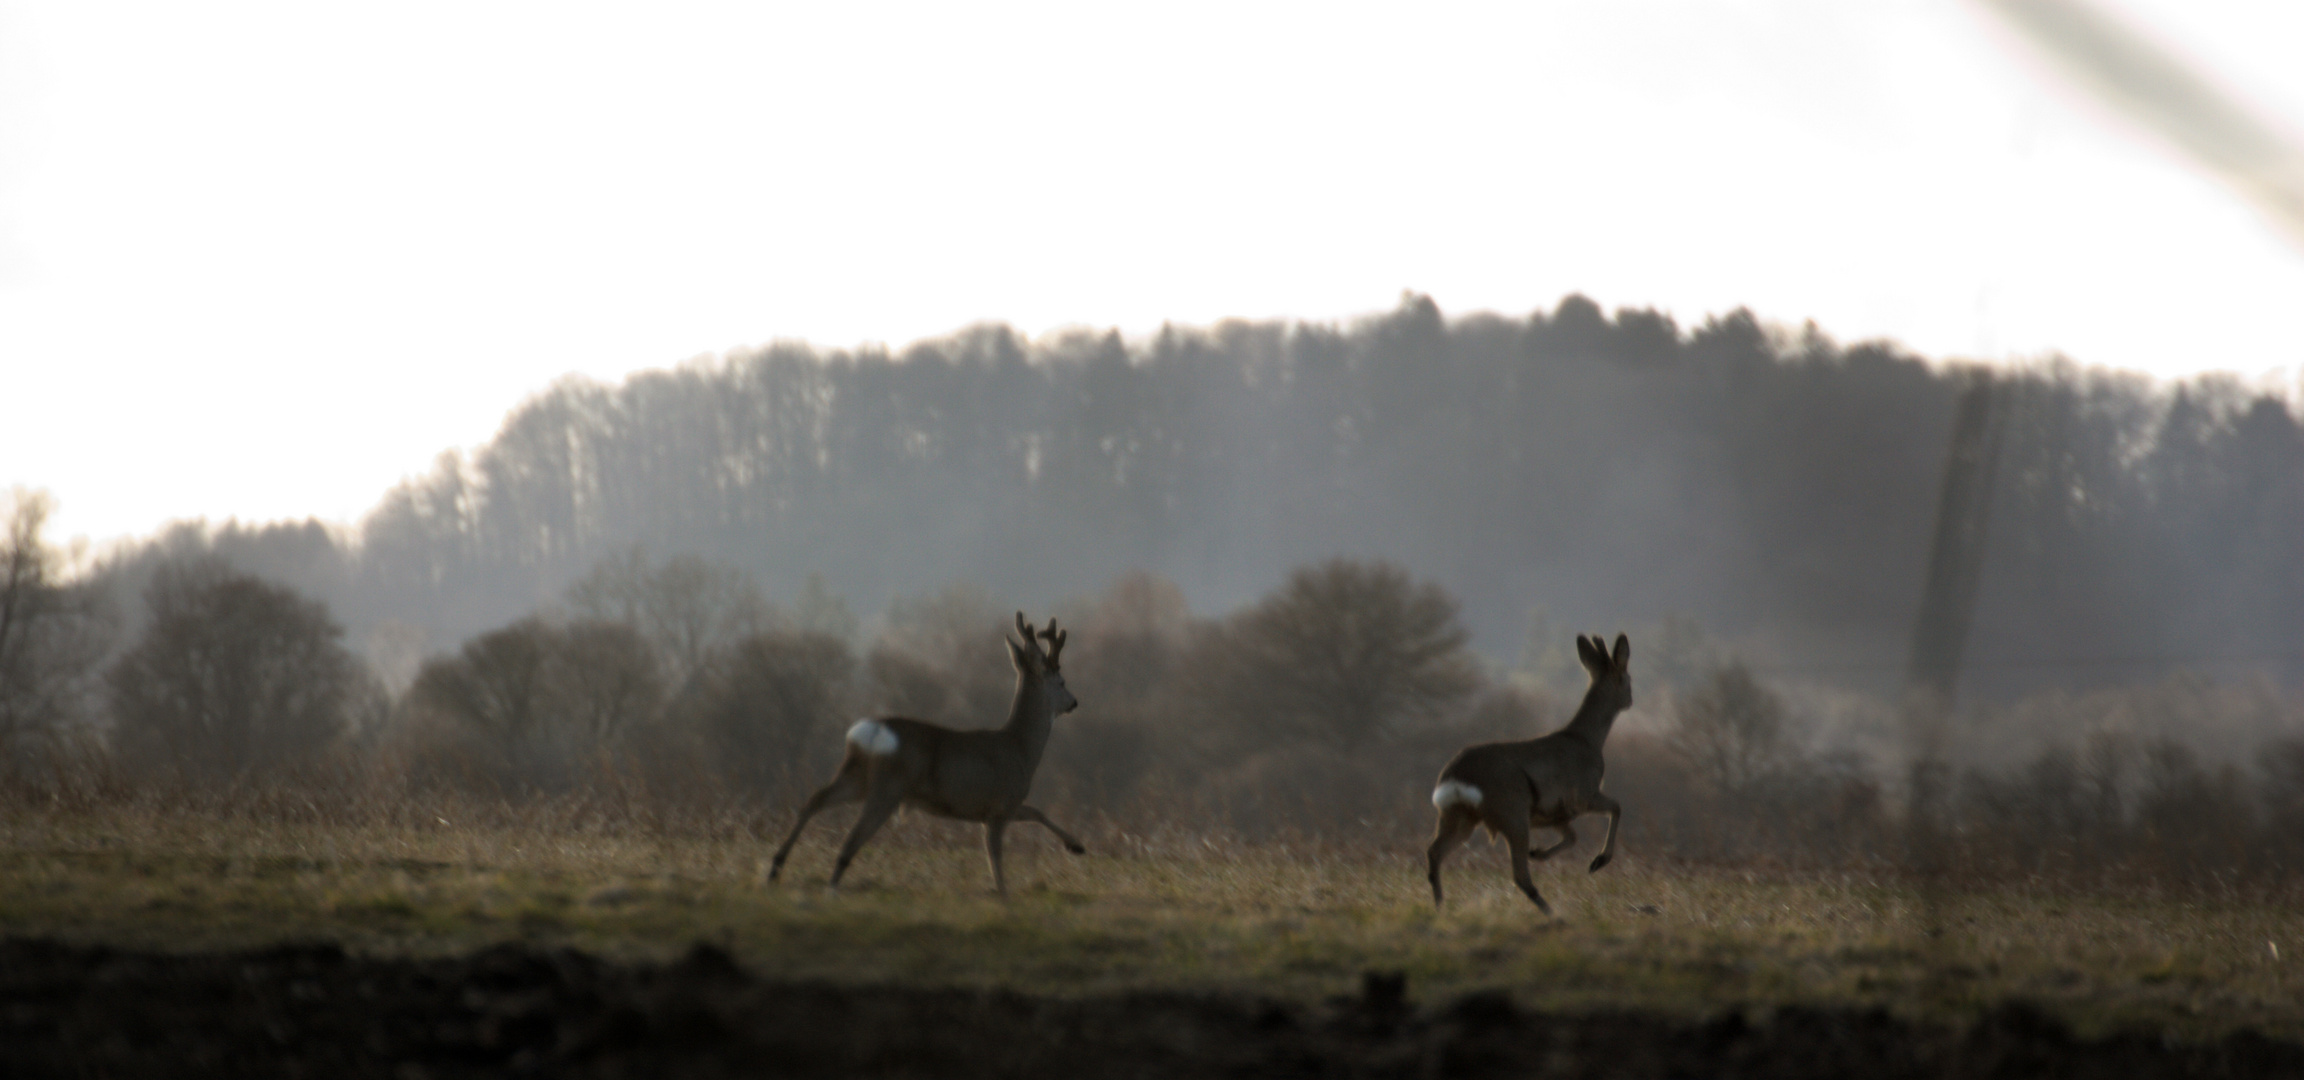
(319, 1012)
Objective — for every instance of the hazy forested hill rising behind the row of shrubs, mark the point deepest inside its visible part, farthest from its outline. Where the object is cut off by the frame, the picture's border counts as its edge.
(1570, 469)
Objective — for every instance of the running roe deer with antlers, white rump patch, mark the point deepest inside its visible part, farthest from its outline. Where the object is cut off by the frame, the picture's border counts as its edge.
(973, 777)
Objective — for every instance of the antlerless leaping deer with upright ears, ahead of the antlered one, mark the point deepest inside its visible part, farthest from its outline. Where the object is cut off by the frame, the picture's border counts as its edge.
(1538, 784)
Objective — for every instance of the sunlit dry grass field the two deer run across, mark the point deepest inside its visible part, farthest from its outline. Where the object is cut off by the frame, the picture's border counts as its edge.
(1165, 911)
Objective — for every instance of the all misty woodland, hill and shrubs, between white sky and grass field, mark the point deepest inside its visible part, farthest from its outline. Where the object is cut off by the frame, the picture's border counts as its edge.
(1303, 563)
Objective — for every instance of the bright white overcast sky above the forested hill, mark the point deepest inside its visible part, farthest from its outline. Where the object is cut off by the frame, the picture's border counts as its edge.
(264, 261)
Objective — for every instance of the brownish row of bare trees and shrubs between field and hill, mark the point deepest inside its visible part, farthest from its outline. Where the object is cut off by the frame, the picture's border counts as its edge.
(676, 692)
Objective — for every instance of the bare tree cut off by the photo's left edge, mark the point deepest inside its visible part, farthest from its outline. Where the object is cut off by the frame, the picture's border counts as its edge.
(52, 634)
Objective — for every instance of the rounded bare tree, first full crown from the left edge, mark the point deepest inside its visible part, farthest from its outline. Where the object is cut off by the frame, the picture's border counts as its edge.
(234, 676)
